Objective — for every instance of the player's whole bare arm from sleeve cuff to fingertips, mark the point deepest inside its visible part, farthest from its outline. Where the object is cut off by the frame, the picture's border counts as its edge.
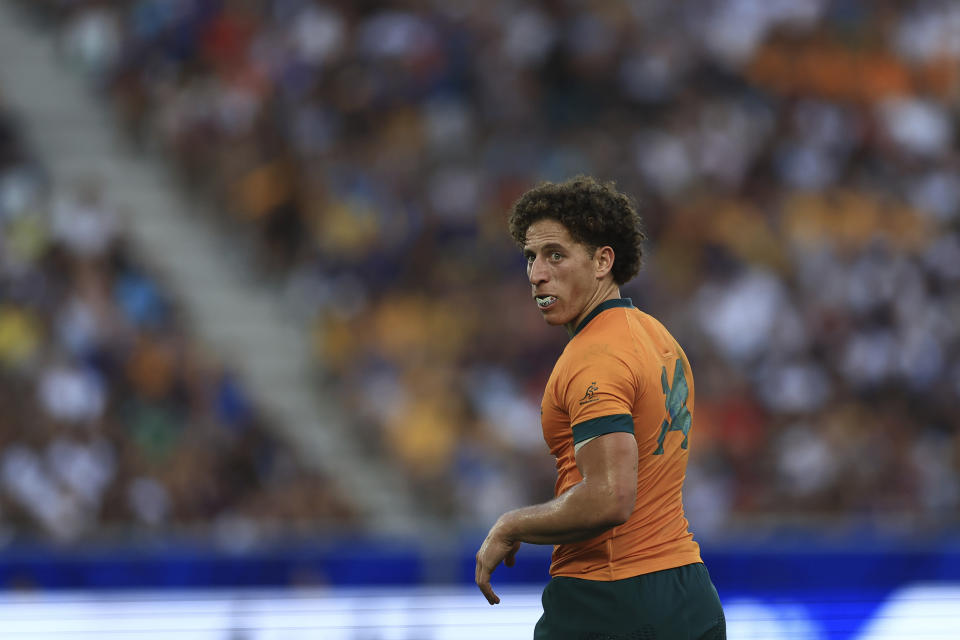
(602, 500)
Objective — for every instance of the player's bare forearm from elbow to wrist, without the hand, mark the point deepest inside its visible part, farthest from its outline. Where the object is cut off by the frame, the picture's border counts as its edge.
(579, 514)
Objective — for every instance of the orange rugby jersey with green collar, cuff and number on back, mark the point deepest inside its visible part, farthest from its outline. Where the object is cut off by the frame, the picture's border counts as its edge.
(622, 371)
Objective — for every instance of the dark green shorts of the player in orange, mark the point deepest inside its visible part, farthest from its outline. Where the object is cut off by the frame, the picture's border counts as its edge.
(674, 604)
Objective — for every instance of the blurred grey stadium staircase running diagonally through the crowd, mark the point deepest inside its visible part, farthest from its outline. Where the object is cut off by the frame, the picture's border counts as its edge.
(243, 319)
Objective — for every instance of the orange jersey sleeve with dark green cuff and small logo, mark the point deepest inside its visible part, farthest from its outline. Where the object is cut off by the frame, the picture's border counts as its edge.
(598, 394)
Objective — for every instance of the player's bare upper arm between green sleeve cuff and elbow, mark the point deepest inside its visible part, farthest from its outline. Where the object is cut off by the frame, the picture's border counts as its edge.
(608, 463)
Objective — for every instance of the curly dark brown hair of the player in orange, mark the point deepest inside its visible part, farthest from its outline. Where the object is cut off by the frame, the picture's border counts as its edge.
(594, 213)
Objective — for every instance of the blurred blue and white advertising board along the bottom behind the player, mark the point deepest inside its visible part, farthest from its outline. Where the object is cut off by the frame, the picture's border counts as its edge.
(815, 592)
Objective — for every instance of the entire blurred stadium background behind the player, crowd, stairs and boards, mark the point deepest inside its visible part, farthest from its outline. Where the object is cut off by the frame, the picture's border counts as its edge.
(268, 362)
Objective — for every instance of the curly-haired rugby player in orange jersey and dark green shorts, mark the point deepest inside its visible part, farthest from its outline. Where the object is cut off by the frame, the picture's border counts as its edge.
(616, 414)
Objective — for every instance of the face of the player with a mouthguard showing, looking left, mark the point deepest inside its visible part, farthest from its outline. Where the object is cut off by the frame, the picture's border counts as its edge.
(565, 278)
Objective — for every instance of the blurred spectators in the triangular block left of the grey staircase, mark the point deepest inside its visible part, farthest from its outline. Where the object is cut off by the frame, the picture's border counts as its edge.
(114, 419)
